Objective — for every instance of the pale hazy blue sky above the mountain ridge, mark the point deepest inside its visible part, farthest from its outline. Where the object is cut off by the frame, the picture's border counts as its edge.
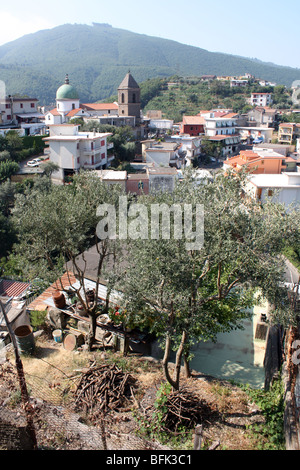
(264, 29)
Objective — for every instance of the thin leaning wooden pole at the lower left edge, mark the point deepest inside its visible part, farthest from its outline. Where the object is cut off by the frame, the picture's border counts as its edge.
(21, 376)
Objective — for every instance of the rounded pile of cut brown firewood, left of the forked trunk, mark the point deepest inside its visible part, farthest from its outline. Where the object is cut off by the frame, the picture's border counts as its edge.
(104, 388)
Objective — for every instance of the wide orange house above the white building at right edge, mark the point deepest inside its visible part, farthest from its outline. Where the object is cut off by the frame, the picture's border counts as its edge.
(263, 161)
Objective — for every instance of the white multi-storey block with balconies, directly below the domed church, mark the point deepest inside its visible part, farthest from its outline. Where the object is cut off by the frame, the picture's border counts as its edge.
(72, 150)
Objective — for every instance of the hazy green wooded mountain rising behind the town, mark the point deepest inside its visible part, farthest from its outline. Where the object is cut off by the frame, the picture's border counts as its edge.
(98, 57)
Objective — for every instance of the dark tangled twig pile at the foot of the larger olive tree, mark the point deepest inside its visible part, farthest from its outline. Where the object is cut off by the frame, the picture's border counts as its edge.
(183, 409)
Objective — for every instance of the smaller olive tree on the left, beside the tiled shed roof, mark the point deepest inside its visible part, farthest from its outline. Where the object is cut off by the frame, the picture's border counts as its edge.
(56, 225)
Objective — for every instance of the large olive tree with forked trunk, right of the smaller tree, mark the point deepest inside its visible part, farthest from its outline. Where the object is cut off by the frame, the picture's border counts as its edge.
(189, 295)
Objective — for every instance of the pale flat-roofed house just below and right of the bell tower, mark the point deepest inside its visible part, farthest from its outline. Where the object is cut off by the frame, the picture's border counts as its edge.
(161, 153)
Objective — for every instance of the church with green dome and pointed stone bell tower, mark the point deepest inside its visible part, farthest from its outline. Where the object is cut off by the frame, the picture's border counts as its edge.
(127, 111)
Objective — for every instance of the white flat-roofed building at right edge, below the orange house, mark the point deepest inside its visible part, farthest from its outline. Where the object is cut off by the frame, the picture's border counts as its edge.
(283, 188)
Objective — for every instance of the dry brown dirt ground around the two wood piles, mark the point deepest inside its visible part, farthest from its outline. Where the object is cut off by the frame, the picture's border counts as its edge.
(52, 375)
